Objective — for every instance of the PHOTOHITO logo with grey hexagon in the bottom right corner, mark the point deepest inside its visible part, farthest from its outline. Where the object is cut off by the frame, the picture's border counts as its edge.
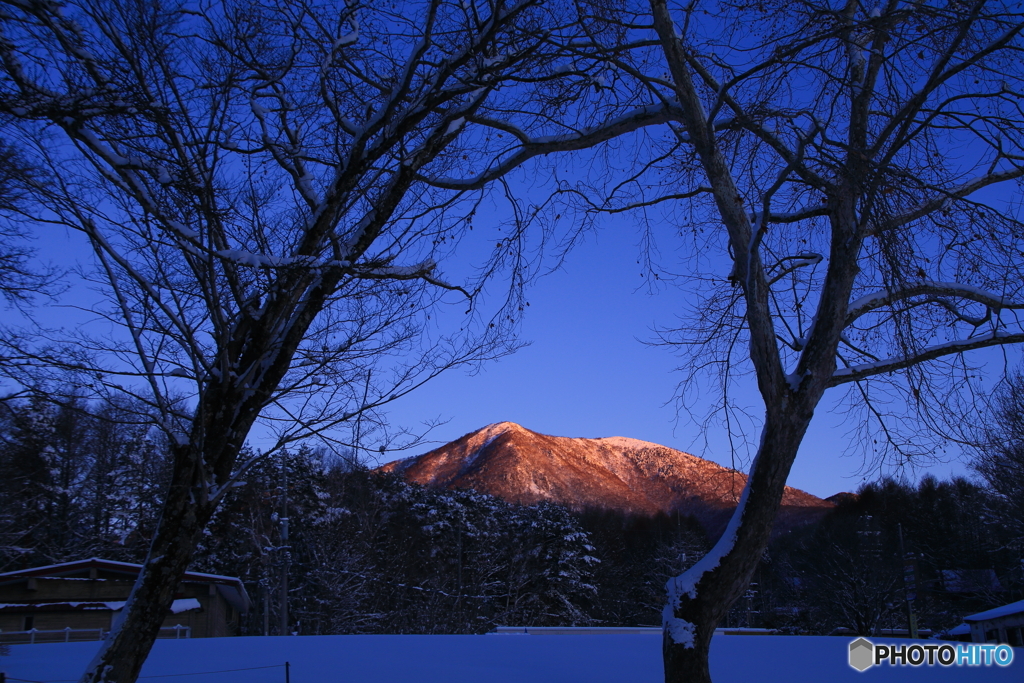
(865, 655)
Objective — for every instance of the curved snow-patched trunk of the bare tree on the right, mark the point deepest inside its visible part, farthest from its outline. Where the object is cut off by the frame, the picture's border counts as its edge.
(718, 580)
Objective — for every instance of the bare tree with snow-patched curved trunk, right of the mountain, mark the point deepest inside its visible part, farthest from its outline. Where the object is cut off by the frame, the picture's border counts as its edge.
(857, 166)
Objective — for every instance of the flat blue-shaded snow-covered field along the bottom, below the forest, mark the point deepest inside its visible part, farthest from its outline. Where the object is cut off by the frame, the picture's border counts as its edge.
(492, 659)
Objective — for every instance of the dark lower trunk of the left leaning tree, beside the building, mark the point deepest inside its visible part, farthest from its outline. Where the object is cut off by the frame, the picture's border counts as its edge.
(121, 658)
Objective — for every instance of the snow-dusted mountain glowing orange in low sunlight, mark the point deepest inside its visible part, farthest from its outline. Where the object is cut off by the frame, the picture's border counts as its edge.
(618, 474)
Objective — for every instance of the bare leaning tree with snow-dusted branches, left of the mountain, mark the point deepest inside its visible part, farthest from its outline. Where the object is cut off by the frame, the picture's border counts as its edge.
(248, 177)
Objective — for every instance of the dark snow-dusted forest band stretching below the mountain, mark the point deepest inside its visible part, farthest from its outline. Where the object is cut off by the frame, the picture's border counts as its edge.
(370, 553)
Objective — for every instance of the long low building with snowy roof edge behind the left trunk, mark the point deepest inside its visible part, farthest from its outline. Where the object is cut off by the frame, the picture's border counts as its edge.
(79, 602)
